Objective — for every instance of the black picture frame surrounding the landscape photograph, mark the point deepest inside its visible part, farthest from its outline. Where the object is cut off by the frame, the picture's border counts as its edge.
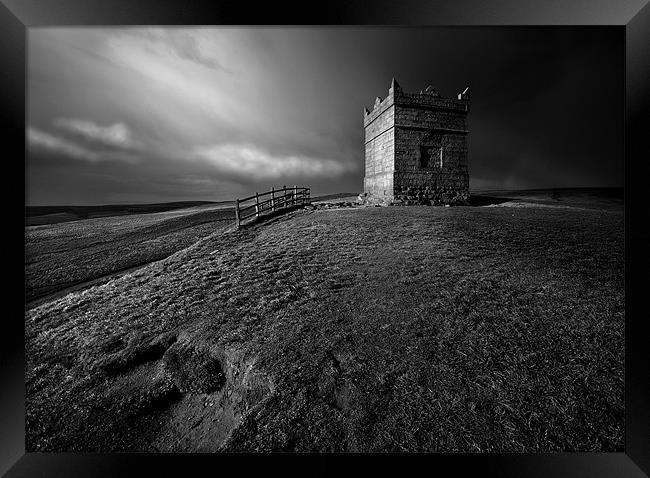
(632, 16)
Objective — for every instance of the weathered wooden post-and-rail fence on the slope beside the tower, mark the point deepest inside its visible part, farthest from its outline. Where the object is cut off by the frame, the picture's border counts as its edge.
(256, 206)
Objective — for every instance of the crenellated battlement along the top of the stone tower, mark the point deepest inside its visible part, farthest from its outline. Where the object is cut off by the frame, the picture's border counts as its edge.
(428, 98)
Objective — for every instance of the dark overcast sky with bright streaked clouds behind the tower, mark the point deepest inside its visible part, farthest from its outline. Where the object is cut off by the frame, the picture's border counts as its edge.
(168, 114)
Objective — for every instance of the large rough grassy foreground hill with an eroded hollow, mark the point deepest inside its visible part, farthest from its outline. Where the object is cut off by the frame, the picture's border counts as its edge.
(354, 329)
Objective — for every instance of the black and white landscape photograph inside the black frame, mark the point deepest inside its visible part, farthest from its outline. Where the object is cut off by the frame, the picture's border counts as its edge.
(325, 239)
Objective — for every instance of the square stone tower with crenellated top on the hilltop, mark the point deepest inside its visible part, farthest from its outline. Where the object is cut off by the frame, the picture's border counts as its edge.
(416, 148)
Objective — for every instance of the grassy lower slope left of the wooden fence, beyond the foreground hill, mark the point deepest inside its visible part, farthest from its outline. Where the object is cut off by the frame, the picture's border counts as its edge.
(72, 253)
